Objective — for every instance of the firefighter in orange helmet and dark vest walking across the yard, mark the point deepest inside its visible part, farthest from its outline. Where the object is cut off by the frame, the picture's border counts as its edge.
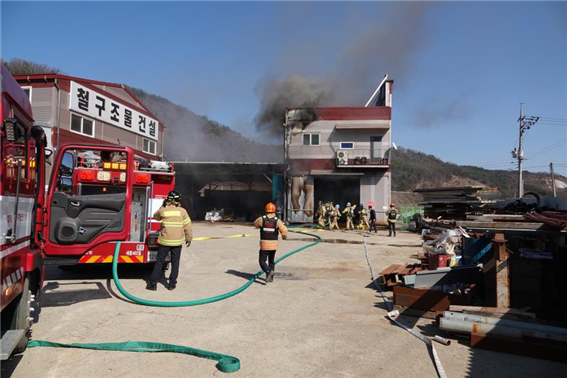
(270, 228)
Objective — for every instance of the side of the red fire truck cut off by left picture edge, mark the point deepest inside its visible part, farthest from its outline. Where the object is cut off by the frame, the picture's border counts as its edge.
(22, 199)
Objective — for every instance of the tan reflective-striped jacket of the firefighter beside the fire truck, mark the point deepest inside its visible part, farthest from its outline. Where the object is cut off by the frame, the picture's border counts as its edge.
(175, 226)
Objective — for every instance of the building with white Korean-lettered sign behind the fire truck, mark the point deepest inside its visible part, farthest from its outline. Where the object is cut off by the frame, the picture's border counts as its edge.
(77, 110)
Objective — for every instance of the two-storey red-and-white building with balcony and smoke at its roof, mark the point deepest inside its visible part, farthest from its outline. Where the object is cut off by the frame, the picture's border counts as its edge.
(339, 154)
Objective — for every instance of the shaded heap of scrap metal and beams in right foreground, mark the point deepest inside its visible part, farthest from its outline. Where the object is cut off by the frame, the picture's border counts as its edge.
(497, 278)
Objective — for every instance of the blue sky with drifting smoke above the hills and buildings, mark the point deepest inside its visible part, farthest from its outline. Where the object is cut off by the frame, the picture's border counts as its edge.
(460, 69)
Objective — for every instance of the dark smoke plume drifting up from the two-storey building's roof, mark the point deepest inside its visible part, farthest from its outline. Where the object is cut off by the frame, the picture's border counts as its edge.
(391, 46)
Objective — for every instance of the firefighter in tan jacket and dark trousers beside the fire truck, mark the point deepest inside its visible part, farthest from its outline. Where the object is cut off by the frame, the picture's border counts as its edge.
(175, 230)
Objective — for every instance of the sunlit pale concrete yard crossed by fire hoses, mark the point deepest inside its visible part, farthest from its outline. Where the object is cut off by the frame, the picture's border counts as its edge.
(321, 317)
